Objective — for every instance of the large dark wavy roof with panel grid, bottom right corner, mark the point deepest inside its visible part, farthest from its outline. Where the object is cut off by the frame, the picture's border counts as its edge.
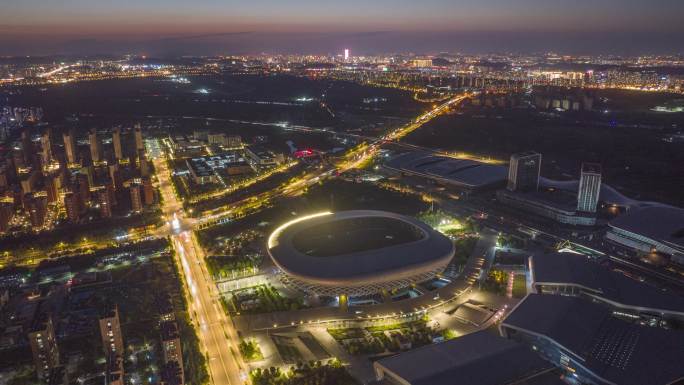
(616, 350)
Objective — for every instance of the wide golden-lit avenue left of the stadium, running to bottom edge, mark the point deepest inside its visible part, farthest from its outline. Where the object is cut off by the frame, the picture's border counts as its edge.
(215, 330)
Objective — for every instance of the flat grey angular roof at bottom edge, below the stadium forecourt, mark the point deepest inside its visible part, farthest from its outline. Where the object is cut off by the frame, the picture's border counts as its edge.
(479, 358)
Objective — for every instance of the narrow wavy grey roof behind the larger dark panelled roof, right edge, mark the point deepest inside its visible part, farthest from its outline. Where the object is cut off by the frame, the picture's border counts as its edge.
(583, 271)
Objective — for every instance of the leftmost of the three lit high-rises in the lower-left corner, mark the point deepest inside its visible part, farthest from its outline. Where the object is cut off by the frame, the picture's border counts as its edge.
(43, 346)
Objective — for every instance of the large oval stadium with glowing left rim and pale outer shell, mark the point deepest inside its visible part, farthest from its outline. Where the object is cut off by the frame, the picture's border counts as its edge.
(358, 252)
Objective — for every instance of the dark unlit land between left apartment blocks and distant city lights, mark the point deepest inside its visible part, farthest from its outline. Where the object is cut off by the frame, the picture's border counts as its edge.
(231, 97)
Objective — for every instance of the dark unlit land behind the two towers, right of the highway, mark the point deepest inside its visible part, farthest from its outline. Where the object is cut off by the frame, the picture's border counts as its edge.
(635, 160)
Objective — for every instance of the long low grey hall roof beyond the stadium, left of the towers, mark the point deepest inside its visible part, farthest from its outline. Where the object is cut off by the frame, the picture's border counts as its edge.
(464, 172)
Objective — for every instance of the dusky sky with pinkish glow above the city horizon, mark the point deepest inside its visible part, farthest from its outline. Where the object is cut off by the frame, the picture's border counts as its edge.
(169, 27)
